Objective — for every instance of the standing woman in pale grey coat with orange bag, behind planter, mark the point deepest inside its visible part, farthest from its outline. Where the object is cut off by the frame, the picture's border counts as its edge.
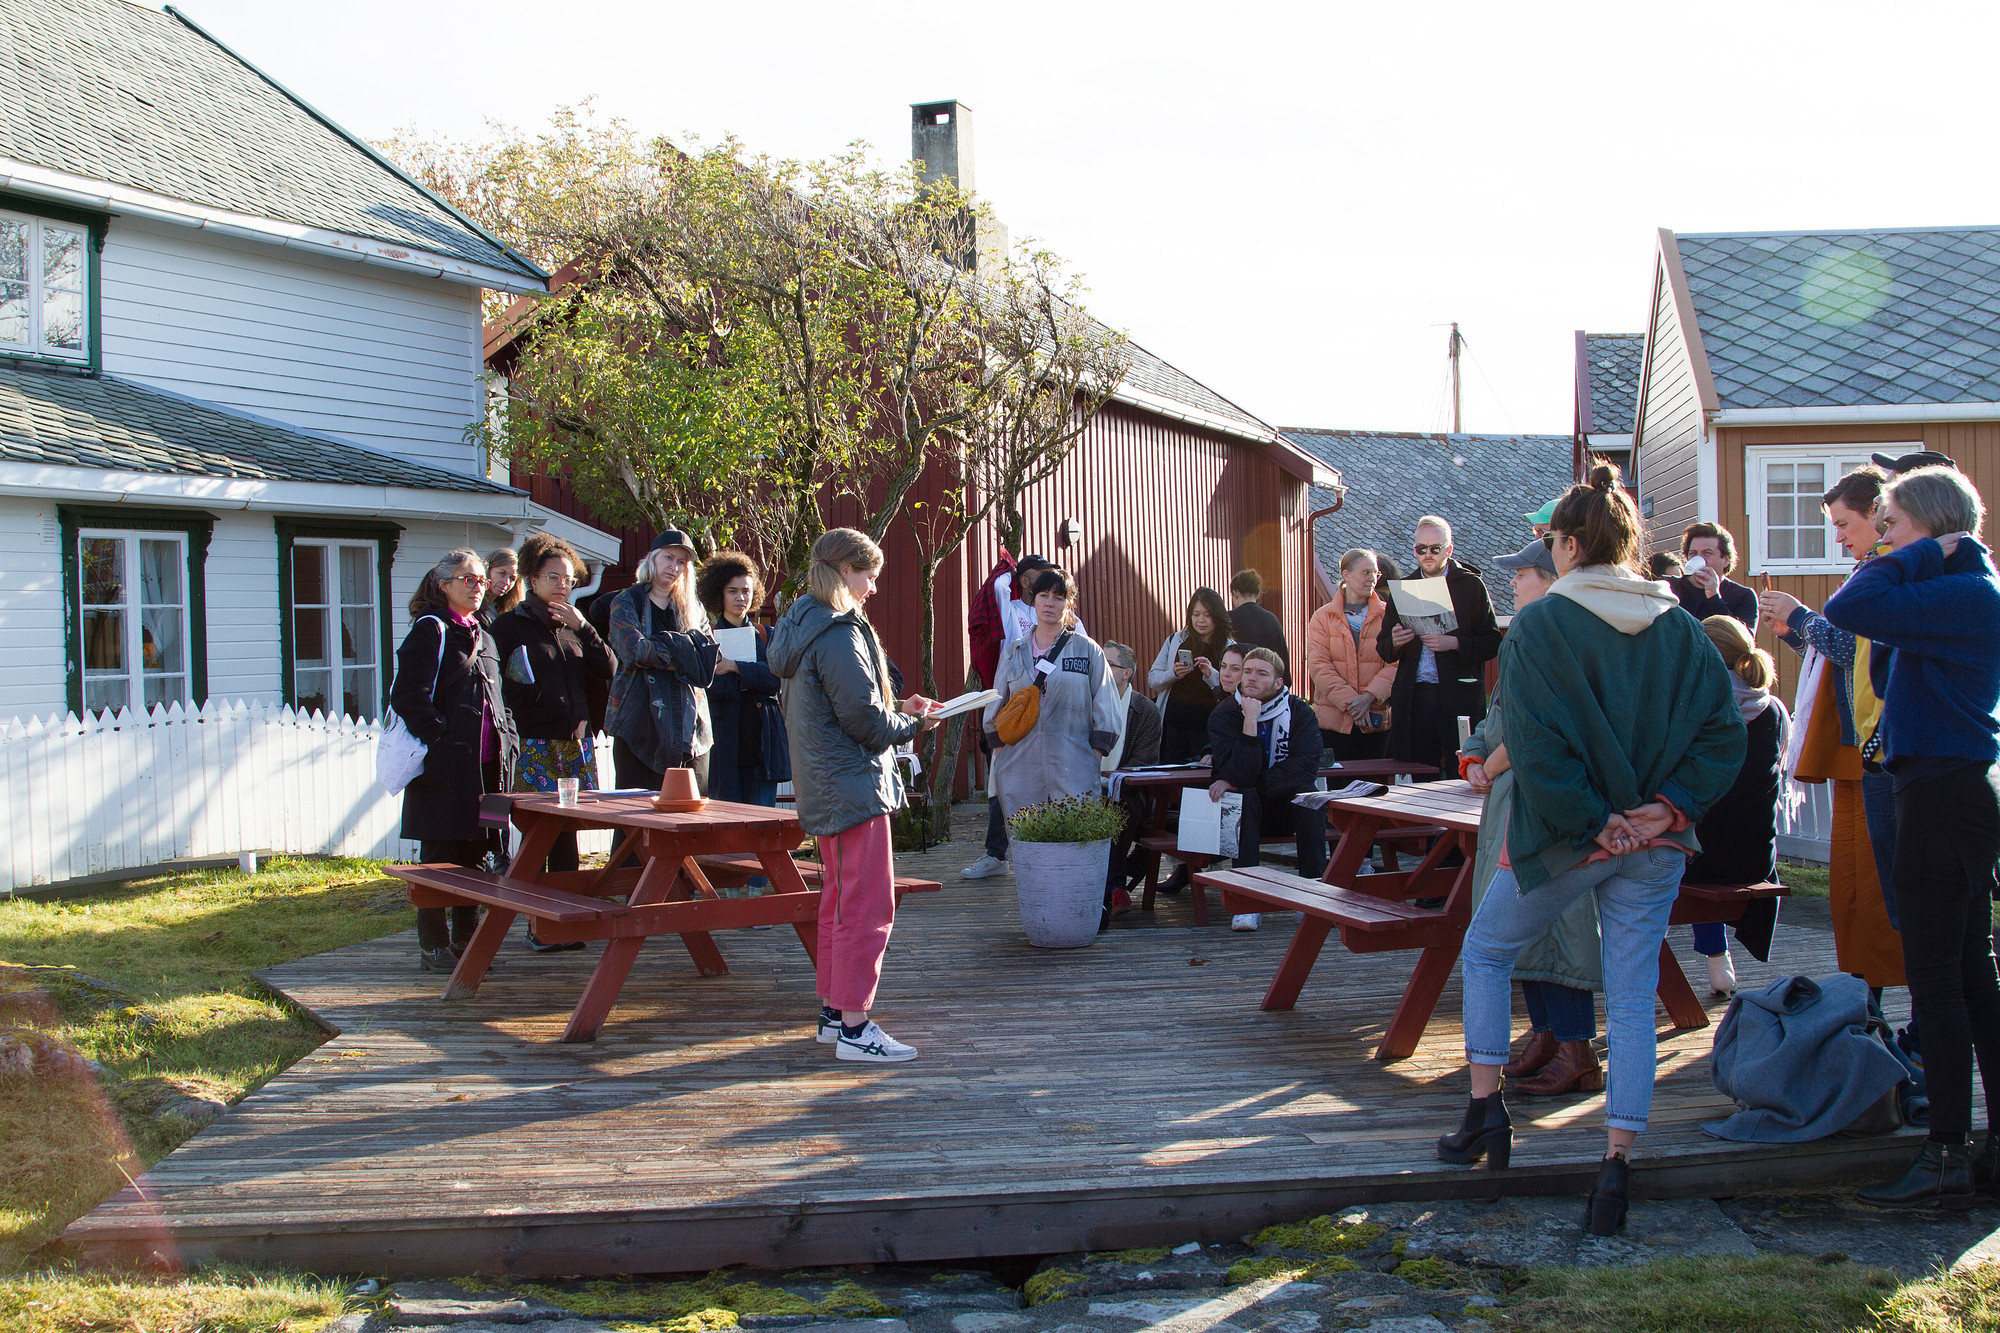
(1079, 710)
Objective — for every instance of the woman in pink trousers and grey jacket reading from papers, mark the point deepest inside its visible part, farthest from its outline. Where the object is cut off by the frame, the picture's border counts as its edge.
(845, 726)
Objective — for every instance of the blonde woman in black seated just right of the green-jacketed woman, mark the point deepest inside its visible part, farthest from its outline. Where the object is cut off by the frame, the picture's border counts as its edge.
(1741, 834)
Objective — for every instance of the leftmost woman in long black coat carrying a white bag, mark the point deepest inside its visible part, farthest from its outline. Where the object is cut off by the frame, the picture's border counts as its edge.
(447, 692)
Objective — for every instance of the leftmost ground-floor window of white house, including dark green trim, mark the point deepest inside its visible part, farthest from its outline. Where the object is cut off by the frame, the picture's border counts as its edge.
(137, 607)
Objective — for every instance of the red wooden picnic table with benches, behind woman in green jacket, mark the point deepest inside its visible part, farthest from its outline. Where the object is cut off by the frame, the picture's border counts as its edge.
(1375, 916)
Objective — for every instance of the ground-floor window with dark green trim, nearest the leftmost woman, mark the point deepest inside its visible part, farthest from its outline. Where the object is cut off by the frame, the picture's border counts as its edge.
(335, 615)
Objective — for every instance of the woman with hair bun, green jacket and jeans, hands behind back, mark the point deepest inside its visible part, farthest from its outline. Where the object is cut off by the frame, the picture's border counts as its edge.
(1623, 732)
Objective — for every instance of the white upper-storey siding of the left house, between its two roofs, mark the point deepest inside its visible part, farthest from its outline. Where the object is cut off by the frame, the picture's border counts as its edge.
(373, 357)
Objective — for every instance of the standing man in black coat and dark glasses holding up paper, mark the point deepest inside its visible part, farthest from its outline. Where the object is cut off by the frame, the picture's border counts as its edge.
(1439, 676)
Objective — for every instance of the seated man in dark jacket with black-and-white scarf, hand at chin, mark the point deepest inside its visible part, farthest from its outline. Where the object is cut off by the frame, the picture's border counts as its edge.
(1267, 746)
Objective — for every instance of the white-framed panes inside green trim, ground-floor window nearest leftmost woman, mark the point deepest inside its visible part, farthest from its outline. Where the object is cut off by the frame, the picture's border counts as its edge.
(335, 627)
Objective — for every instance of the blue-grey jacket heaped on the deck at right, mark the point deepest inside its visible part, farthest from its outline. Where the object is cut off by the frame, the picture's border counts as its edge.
(1799, 1062)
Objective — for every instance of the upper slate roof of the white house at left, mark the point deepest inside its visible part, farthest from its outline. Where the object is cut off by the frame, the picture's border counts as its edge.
(111, 91)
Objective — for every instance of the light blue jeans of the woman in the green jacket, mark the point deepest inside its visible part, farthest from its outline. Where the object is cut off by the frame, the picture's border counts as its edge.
(1635, 900)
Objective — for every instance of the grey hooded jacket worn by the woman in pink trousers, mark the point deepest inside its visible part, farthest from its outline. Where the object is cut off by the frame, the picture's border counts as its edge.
(839, 718)
